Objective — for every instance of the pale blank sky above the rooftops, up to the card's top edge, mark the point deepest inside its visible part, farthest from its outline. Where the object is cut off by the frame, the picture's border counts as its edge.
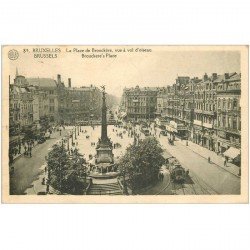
(160, 67)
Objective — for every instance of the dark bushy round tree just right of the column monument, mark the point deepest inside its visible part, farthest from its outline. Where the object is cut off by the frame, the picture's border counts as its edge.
(141, 162)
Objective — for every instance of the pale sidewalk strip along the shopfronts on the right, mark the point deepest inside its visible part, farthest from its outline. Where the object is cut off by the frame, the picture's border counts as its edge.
(214, 158)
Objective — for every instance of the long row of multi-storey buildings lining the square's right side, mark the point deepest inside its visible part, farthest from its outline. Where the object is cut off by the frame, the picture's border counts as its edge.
(206, 111)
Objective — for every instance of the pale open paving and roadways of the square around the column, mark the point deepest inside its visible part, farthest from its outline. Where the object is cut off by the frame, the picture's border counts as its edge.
(205, 178)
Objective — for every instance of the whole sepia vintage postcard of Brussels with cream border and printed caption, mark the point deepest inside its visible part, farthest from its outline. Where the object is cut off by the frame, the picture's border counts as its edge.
(124, 124)
